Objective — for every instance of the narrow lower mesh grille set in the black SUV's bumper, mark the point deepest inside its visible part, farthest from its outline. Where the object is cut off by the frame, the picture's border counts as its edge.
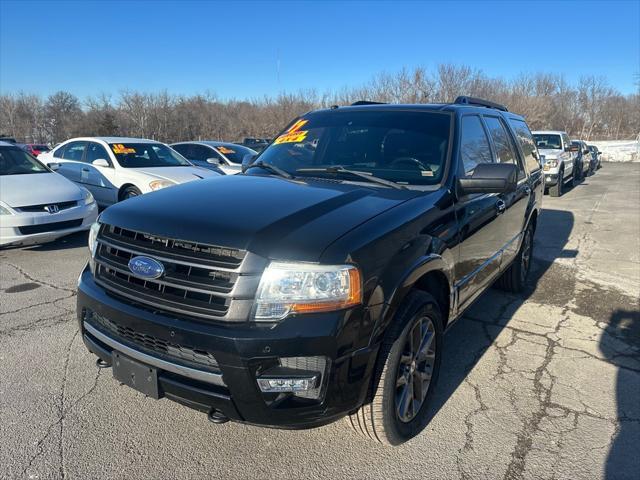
(151, 344)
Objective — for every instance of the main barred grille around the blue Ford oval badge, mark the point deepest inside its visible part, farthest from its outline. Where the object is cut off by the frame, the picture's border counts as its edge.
(198, 279)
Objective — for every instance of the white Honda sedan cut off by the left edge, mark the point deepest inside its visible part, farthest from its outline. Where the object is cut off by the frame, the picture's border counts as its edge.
(36, 204)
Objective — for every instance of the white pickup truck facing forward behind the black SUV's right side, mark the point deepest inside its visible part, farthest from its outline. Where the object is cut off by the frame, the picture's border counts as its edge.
(559, 159)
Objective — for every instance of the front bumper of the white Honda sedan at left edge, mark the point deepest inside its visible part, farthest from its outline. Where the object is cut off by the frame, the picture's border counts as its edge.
(10, 233)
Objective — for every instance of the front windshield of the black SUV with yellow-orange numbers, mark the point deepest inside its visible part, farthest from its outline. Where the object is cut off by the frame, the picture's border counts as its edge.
(405, 147)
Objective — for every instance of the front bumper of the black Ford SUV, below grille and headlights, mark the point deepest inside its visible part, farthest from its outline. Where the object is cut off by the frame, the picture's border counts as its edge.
(242, 351)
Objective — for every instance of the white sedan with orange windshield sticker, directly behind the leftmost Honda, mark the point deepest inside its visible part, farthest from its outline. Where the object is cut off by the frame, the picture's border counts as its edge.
(117, 168)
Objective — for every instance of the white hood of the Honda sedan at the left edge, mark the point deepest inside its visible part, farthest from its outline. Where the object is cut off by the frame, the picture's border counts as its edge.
(37, 189)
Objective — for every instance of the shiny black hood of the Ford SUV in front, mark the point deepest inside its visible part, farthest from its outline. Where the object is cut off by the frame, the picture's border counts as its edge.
(269, 216)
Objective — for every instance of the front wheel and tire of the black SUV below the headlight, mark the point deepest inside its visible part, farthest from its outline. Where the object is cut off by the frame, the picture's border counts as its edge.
(379, 418)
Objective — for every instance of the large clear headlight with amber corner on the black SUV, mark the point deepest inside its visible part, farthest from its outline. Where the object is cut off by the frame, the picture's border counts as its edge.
(305, 288)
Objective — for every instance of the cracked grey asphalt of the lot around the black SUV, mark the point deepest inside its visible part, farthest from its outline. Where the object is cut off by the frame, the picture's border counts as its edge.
(544, 385)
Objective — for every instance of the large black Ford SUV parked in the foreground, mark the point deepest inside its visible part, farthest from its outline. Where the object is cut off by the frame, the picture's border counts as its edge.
(318, 284)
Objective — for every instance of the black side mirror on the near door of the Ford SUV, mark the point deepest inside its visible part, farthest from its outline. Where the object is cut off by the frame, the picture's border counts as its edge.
(490, 178)
